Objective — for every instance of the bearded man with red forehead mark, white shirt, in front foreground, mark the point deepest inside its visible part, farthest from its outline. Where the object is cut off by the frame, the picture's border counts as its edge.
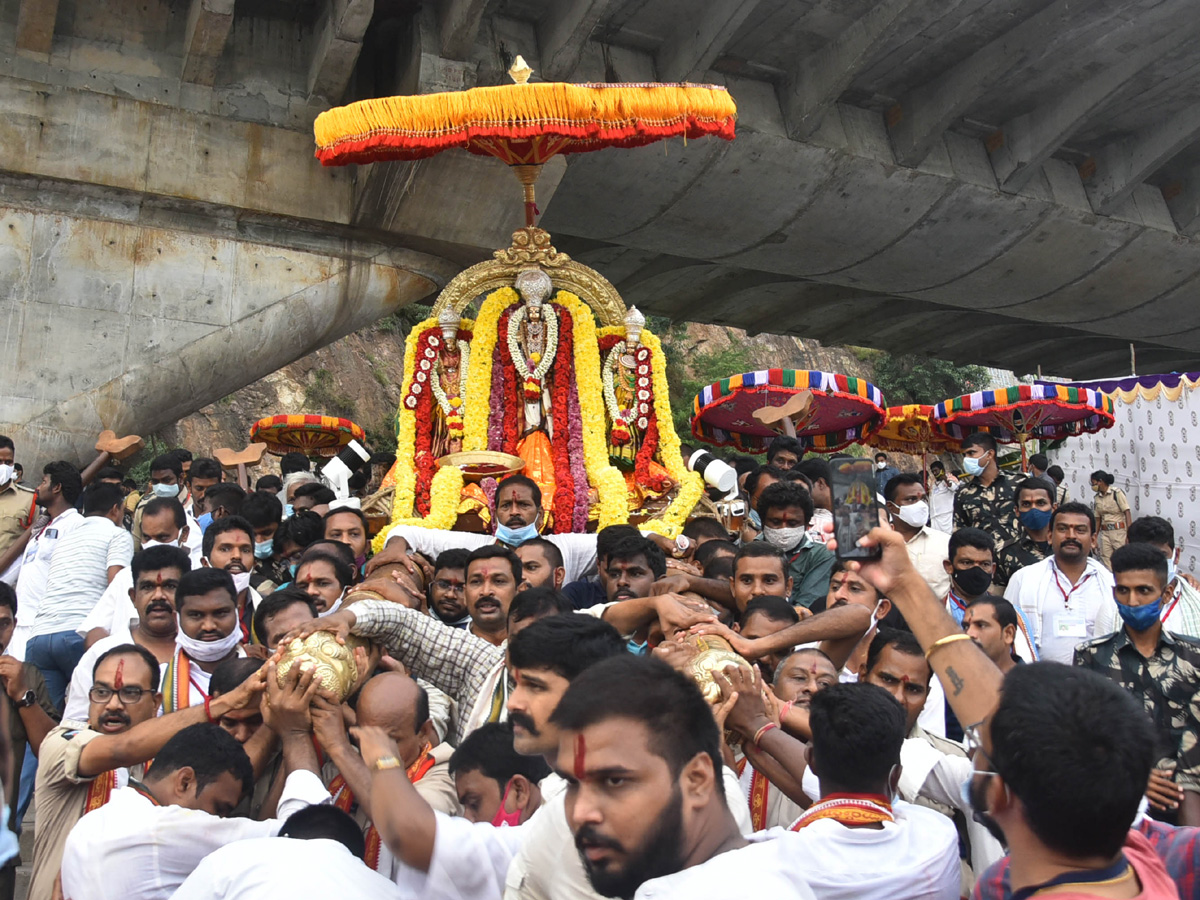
(640, 752)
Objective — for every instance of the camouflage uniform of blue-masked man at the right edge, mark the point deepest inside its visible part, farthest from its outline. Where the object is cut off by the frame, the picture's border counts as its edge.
(1168, 685)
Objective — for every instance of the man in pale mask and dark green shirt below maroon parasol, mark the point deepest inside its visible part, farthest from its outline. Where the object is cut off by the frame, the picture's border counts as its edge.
(785, 511)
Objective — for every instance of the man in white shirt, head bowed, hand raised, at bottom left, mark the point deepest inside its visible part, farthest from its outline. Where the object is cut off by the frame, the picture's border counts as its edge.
(153, 835)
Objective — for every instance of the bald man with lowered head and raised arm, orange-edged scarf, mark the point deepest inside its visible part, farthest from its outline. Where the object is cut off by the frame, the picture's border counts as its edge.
(401, 707)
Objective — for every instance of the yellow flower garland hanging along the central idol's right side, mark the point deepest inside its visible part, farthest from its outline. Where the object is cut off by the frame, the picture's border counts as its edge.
(608, 481)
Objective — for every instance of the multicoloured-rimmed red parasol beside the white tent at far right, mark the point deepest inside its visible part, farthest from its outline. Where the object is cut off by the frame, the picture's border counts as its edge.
(1013, 416)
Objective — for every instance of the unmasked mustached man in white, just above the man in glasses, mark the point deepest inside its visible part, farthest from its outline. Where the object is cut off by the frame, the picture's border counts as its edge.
(155, 577)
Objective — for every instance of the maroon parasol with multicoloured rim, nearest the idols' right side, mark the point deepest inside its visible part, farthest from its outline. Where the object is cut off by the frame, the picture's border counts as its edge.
(825, 411)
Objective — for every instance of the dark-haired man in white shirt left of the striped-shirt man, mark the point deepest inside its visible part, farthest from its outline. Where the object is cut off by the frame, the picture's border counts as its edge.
(62, 487)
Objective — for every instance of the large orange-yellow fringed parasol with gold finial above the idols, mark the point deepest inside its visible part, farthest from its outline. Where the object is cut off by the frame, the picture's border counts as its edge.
(523, 125)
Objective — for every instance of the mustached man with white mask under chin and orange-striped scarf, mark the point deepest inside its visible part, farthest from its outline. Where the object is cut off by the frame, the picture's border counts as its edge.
(208, 635)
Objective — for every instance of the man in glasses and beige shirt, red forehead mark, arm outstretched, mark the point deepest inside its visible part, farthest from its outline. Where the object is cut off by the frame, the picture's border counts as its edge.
(79, 769)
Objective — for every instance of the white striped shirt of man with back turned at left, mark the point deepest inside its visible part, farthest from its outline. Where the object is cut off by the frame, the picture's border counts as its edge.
(80, 574)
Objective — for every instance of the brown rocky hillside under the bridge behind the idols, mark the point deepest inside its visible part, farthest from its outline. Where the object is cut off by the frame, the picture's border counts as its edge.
(359, 377)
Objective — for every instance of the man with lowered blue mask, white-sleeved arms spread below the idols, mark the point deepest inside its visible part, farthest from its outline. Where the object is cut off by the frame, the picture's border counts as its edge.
(518, 517)
